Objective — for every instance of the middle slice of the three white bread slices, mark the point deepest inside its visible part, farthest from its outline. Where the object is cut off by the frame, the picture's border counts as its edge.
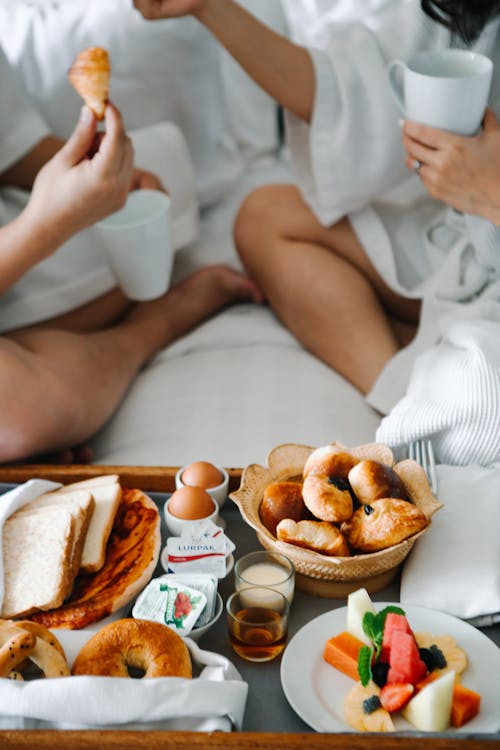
(81, 504)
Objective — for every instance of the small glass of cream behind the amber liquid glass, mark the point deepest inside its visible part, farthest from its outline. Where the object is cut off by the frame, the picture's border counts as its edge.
(265, 569)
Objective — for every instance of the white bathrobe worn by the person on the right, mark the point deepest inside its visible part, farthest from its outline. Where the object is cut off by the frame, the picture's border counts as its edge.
(350, 162)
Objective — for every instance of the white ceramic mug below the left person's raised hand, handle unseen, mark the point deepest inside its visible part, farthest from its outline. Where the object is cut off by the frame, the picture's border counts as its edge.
(138, 244)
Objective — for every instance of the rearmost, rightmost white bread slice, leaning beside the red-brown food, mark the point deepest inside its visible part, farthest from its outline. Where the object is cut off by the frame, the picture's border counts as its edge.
(107, 493)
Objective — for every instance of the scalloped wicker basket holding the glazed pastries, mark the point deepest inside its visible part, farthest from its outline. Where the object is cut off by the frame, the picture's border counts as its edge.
(321, 574)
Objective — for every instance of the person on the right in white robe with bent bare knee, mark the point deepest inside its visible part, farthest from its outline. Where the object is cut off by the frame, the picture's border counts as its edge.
(347, 254)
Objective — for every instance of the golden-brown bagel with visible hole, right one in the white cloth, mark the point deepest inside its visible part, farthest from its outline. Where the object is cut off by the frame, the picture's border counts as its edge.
(125, 646)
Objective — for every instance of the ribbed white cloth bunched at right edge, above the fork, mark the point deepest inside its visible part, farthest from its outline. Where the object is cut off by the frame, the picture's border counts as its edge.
(453, 395)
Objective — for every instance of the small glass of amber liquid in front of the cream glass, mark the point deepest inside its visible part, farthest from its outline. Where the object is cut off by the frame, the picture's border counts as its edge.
(257, 621)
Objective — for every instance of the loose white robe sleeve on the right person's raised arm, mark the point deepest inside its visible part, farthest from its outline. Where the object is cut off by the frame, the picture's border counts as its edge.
(352, 152)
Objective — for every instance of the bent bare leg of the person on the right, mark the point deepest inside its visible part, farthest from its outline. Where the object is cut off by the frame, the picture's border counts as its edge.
(321, 284)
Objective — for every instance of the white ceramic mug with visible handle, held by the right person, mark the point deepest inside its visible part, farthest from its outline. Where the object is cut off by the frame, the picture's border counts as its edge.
(447, 89)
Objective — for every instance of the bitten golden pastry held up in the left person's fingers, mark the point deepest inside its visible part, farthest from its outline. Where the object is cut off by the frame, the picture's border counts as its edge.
(90, 75)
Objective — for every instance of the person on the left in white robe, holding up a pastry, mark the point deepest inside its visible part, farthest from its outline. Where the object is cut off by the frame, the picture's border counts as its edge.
(67, 361)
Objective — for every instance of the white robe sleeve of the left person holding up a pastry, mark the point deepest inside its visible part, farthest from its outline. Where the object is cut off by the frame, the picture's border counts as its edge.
(21, 127)
